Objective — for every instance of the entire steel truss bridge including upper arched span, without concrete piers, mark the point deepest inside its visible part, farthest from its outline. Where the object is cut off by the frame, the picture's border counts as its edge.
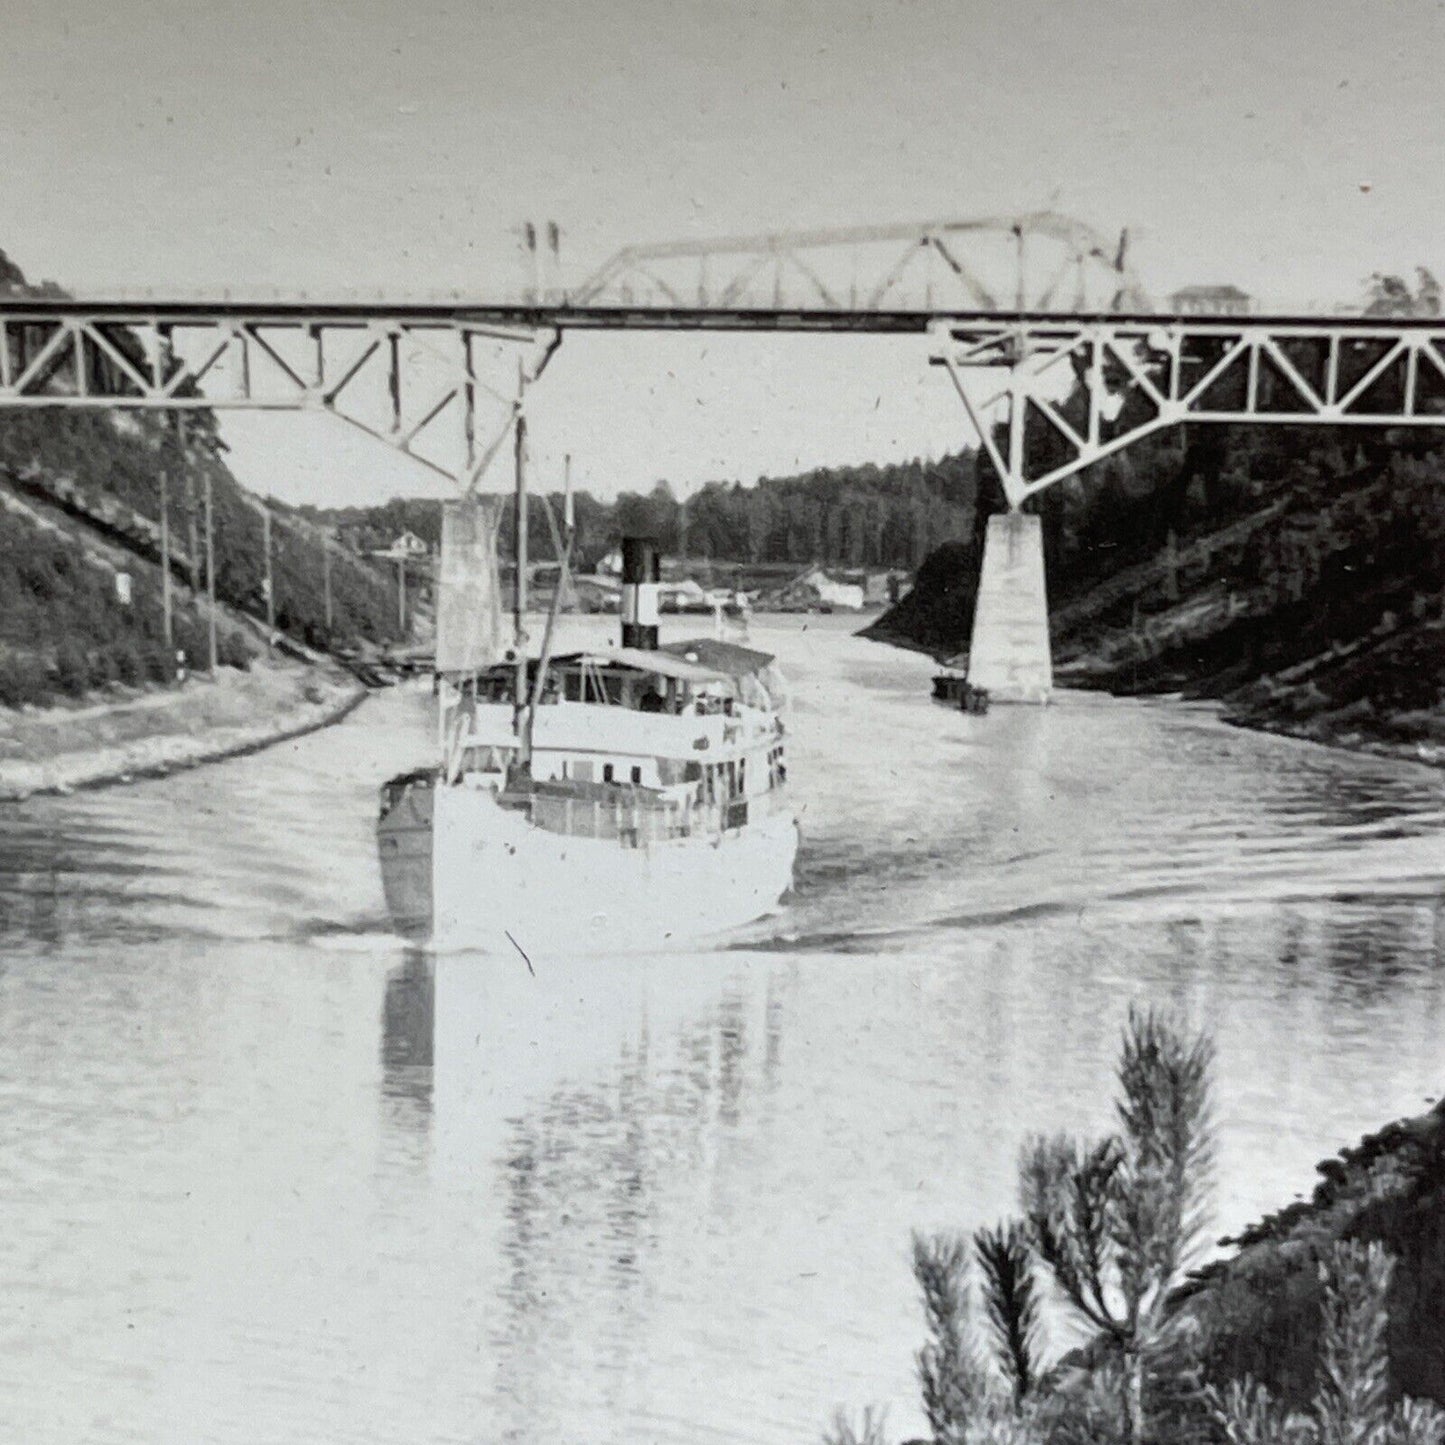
(1038, 322)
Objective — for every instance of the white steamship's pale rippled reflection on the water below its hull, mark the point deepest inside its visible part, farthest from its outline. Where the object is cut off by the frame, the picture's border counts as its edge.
(567, 1110)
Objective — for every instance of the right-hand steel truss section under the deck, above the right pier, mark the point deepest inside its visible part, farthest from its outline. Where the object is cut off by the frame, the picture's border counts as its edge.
(1051, 397)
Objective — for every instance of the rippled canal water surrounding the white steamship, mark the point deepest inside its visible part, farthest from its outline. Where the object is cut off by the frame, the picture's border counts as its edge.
(268, 1174)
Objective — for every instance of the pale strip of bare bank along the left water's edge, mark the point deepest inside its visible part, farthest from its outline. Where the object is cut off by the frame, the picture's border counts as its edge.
(147, 735)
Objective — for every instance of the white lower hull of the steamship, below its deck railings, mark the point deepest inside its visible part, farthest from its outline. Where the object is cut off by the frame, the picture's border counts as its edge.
(499, 884)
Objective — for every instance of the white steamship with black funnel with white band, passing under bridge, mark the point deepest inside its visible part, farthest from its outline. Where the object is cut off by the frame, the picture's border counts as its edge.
(616, 798)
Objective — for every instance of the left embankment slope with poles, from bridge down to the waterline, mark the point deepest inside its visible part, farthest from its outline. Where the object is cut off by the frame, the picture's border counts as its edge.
(89, 687)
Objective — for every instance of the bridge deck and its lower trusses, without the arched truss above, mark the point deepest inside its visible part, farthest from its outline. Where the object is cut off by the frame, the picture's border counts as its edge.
(1064, 391)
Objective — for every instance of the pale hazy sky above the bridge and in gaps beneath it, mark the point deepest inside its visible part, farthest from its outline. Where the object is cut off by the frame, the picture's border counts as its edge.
(1288, 147)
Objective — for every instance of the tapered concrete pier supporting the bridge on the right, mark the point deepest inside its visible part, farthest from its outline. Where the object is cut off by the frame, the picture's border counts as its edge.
(1009, 651)
